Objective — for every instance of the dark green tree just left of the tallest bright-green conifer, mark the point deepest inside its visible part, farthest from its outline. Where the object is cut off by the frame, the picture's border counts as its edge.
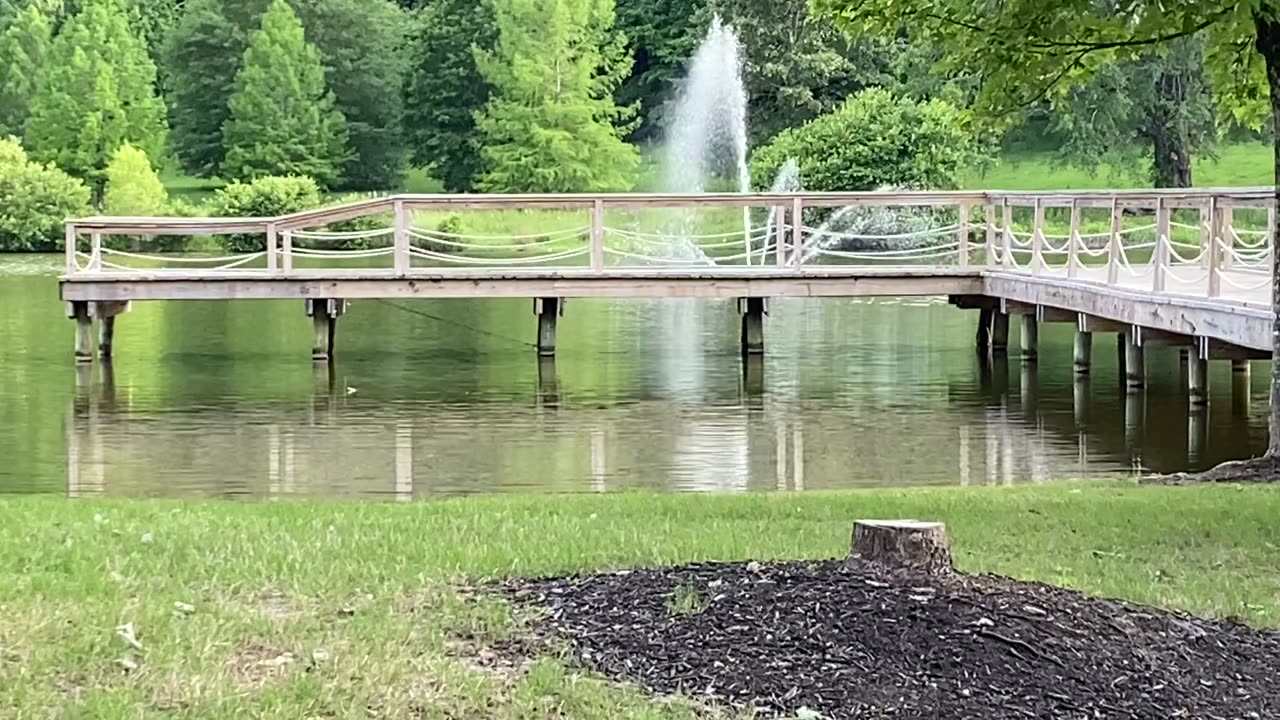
(445, 90)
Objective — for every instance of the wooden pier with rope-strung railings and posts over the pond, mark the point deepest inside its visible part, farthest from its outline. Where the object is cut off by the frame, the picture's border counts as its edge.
(1190, 267)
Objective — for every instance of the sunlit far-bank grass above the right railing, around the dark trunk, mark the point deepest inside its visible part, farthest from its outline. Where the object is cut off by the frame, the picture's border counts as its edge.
(1242, 165)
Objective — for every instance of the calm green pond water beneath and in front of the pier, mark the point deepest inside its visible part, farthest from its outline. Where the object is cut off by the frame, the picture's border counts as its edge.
(431, 399)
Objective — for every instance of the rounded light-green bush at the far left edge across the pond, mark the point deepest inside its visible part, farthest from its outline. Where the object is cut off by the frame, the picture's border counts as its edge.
(35, 202)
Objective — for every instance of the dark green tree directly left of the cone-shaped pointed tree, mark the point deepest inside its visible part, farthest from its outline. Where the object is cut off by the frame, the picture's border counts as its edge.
(203, 54)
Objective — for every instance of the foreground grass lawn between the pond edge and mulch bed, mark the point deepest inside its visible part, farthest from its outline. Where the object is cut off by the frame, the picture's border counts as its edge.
(345, 610)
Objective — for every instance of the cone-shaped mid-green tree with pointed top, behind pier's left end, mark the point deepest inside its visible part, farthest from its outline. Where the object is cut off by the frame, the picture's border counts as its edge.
(284, 120)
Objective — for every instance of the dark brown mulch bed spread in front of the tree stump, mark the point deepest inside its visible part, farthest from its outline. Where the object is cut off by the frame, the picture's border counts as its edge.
(853, 642)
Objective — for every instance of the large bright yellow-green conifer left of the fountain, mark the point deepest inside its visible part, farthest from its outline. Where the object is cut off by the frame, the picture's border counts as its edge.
(552, 125)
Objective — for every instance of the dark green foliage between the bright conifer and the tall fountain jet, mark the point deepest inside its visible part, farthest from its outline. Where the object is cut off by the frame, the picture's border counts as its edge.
(661, 35)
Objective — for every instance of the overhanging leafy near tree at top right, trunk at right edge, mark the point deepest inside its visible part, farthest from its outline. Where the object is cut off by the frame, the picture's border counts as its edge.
(1027, 51)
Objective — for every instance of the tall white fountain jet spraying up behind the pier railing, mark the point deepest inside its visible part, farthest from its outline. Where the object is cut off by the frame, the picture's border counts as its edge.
(708, 135)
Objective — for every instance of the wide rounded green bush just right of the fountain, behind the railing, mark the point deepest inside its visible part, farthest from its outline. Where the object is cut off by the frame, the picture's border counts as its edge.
(874, 140)
